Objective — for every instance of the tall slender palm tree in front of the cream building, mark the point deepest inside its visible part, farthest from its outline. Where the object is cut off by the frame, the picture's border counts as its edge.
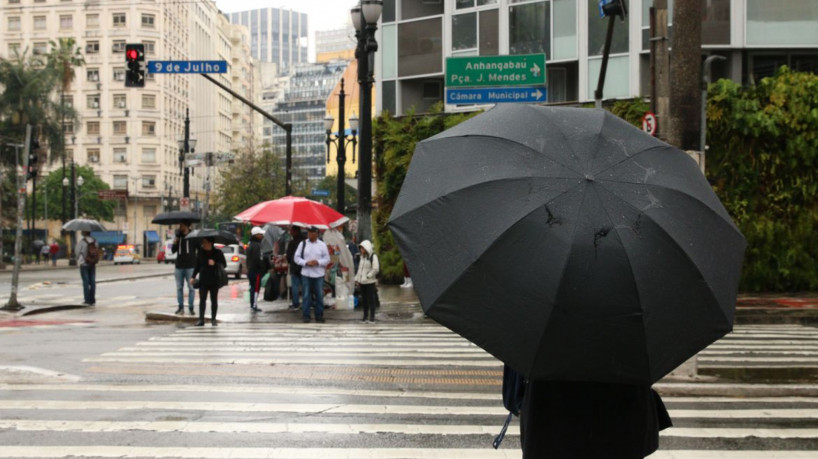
(64, 56)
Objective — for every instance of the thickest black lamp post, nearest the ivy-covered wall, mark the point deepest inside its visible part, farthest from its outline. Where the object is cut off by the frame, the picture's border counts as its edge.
(365, 18)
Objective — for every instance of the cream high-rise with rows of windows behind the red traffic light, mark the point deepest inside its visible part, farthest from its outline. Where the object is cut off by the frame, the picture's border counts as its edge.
(129, 136)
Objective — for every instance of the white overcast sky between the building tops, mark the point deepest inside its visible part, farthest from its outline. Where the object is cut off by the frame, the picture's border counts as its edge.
(322, 14)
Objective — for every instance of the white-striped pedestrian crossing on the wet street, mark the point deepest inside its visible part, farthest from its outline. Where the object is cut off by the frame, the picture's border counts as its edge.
(349, 390)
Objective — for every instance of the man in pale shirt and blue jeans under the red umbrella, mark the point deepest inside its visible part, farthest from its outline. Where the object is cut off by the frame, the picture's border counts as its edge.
(313, 257)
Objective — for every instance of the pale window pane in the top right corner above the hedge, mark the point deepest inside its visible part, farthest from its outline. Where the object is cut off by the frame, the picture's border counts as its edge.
(790, 23)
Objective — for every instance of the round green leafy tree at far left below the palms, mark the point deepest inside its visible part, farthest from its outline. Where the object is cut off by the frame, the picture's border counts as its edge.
(89, 203)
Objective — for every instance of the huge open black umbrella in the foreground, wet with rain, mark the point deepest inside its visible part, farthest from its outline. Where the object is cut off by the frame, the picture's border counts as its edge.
(569, 244)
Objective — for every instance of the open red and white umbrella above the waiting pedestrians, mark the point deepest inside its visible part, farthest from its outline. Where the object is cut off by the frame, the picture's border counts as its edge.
(292, 210)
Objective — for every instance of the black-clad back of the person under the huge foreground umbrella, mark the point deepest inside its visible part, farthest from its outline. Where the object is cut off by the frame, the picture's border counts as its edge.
(573, 419)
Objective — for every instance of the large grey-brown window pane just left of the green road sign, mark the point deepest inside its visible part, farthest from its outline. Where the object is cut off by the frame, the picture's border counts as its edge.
(420, 49)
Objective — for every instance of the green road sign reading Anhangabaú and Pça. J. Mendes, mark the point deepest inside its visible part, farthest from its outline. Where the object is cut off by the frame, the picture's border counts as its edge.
(478, 71)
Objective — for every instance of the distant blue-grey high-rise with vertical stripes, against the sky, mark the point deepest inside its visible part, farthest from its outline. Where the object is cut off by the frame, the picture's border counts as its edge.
(276, 35)
